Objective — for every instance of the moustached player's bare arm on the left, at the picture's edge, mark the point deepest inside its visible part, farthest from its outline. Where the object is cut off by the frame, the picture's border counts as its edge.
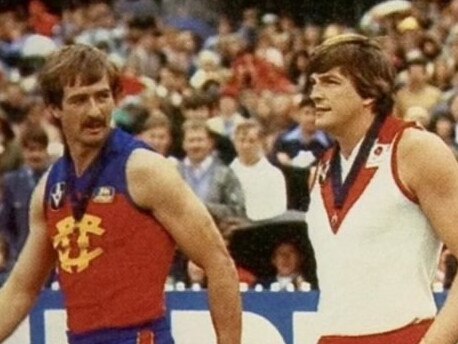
(36, 261)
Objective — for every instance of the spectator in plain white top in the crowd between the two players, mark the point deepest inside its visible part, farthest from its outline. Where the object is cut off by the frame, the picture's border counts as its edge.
(263, 184)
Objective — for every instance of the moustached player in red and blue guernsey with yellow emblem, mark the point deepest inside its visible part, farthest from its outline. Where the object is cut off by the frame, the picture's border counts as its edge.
(108, 214)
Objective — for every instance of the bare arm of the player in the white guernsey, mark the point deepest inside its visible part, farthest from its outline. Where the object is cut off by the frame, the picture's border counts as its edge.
(430, 171)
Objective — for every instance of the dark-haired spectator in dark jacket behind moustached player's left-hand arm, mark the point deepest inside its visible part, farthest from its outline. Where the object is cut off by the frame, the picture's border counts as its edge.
(18, 186)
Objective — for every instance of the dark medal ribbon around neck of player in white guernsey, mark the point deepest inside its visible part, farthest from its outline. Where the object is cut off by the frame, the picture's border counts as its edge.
(340, 190)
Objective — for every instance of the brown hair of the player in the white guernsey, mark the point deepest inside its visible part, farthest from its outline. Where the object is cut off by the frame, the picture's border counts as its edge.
(363, 61)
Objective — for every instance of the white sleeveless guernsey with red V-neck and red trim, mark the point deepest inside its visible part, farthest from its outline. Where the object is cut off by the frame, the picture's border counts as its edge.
(378, 254)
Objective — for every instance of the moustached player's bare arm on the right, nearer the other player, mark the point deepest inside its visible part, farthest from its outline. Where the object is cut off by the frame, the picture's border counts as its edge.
(155, 184)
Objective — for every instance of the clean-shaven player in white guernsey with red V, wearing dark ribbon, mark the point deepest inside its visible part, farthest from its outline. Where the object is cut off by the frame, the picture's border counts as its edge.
(383, 199)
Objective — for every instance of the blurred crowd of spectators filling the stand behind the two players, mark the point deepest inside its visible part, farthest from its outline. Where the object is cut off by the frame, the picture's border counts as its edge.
(225, 100)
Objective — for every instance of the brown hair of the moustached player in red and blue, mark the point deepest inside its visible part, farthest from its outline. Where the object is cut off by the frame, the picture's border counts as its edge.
(75, 63)
